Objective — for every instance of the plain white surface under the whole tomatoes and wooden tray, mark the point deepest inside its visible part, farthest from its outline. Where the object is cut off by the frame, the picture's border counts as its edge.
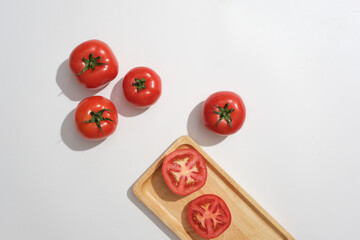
(294, 63)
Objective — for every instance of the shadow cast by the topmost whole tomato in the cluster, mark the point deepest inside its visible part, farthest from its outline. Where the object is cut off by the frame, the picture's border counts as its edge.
(69, 85)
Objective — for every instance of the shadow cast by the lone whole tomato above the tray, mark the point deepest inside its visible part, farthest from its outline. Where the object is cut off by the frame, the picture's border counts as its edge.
(197, 130)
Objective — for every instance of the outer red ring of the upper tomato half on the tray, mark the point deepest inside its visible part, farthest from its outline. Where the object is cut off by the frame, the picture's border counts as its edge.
(201, 165)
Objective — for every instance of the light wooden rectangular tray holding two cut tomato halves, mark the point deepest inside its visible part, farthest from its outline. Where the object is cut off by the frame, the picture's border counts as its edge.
(249, 220)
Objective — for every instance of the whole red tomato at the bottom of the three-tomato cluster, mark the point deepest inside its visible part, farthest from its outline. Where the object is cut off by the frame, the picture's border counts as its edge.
(96, 117)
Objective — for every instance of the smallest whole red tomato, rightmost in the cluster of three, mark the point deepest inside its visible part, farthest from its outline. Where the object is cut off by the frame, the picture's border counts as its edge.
(142, 87)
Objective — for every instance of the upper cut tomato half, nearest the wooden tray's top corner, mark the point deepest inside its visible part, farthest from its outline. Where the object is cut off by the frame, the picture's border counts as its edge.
(184, 171)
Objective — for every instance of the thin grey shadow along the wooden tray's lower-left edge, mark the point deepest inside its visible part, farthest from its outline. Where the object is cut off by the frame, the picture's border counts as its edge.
(131, 196)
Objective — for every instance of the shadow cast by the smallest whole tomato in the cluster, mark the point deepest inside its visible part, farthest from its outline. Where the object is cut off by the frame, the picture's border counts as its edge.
(123, 107)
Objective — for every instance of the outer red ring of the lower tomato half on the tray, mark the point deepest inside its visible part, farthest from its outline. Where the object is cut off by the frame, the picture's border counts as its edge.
(217, 200)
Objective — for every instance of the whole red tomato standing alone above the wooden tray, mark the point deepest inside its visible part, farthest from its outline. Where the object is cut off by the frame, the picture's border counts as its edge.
(223, 113)
